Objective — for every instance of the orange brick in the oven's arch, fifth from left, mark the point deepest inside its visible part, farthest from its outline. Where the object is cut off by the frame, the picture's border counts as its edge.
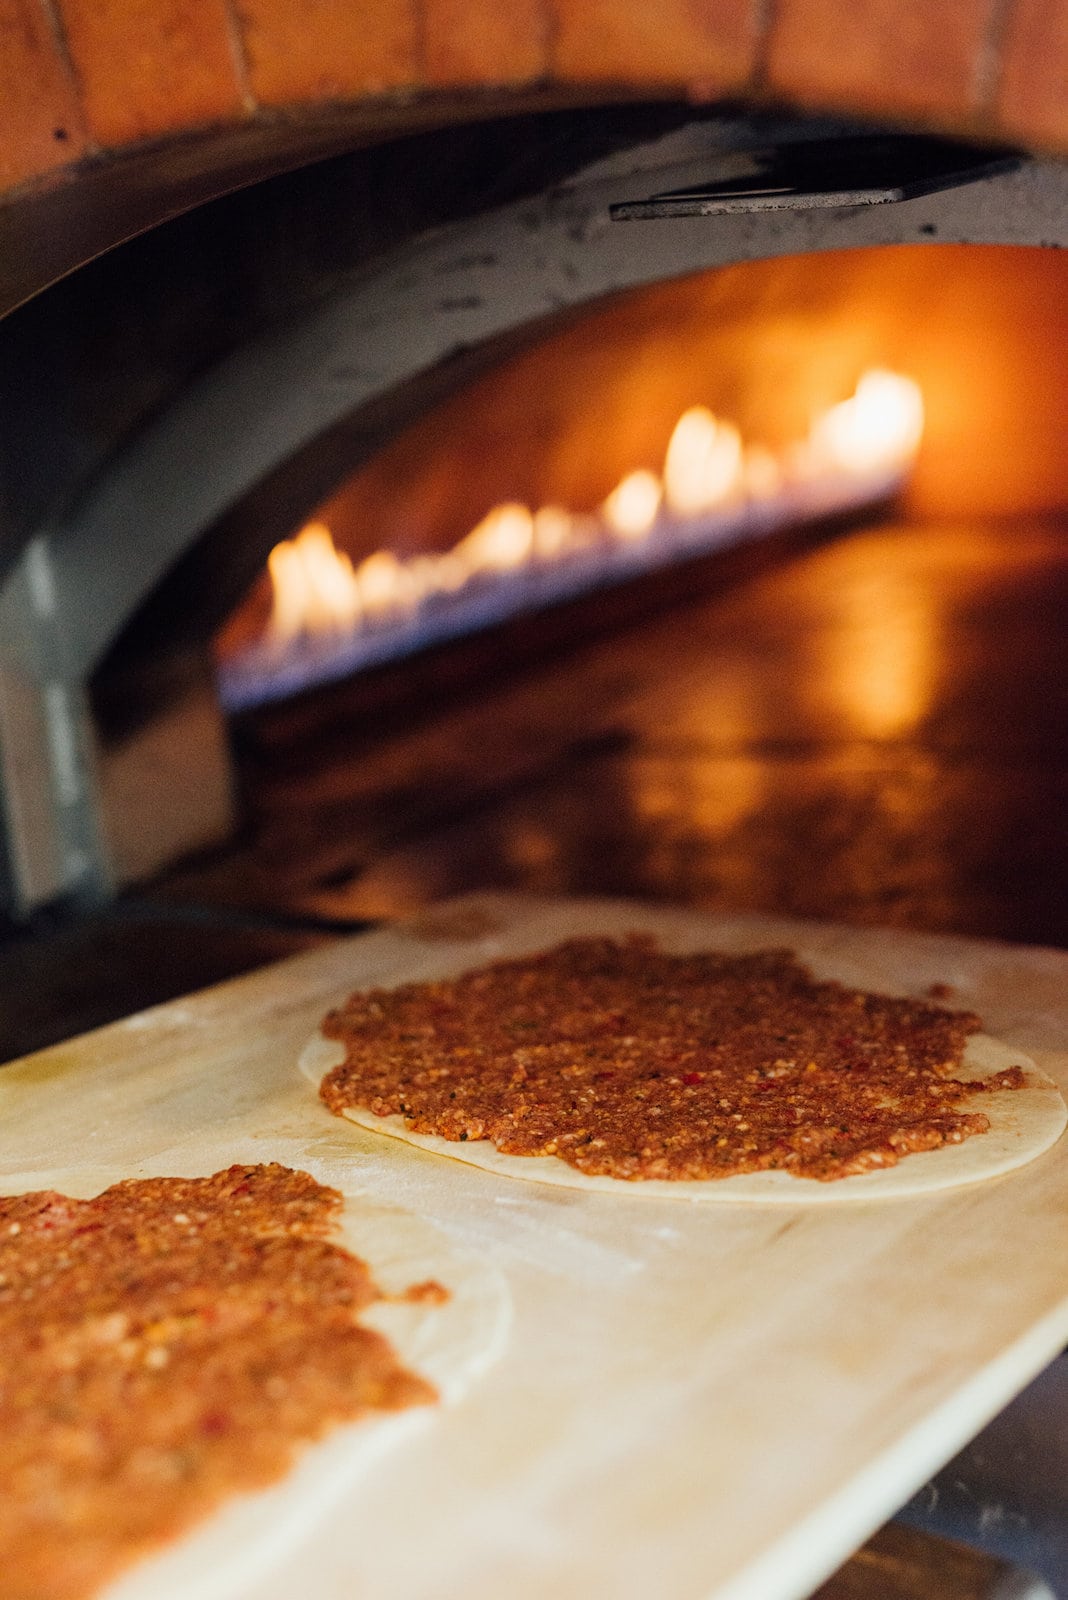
(707, 44)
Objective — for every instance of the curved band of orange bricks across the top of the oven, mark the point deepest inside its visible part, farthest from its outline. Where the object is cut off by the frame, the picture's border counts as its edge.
(81, 78)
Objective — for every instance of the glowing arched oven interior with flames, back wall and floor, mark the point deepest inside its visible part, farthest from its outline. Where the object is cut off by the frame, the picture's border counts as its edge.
(725, 578)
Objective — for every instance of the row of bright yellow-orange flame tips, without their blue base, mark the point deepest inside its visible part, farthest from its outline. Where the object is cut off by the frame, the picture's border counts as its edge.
(707, 471)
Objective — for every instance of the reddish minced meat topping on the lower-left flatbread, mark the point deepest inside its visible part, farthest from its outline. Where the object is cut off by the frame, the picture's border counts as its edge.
(167, 1345)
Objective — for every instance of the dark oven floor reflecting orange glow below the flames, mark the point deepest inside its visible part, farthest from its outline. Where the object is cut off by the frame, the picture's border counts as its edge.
(871, 729)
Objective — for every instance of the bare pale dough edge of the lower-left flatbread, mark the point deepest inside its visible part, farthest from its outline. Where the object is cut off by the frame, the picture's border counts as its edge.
(450, 1345)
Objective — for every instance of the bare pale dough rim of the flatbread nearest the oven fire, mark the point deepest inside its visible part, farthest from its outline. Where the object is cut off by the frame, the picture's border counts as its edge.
(1022, 1124)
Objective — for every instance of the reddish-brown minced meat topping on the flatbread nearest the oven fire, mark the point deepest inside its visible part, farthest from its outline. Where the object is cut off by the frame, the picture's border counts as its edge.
(631, 1063)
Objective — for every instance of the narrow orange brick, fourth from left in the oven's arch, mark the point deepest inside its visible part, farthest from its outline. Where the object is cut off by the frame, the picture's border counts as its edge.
(474, 42)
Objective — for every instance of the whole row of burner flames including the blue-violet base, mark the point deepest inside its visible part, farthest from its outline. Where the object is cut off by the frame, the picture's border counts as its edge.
(332, 617)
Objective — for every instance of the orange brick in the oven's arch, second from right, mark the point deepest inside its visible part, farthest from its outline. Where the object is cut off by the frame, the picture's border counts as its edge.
(899, 57)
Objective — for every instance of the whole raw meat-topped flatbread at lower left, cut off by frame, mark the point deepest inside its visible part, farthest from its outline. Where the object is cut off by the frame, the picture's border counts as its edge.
(185, 1342)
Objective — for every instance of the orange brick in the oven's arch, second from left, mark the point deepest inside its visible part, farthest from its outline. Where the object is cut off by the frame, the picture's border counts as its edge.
(153, 66)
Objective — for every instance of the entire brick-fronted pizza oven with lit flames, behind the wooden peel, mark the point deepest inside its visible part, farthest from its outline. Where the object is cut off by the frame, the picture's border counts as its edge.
(348, 558)
